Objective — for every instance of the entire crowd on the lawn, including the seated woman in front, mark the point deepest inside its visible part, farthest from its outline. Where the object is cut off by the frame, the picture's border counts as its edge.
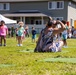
(51, 39)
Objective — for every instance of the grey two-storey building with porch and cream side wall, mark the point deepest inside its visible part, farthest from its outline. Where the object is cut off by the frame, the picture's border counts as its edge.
(36, 12)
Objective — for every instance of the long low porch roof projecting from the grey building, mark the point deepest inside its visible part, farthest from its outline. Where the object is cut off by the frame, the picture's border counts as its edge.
(26, 13)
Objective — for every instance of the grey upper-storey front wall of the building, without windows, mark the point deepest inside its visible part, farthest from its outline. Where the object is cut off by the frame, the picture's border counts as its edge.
(40, 5)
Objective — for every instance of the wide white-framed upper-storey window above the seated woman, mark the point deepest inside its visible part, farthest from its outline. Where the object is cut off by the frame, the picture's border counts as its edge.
(56, 5)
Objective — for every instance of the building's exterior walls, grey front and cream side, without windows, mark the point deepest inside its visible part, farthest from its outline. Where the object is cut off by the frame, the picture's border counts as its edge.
(68, 13)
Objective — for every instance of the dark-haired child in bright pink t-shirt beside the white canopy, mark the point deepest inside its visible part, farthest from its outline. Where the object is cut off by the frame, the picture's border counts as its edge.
(3, 32)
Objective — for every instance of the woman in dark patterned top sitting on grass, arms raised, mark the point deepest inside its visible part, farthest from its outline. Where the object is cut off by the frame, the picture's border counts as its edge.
(45, 41)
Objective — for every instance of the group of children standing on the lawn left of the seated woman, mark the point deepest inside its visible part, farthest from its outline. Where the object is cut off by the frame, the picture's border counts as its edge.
(20, 32)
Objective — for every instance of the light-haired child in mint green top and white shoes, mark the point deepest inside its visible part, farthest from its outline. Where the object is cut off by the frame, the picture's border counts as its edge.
(20, 33)
